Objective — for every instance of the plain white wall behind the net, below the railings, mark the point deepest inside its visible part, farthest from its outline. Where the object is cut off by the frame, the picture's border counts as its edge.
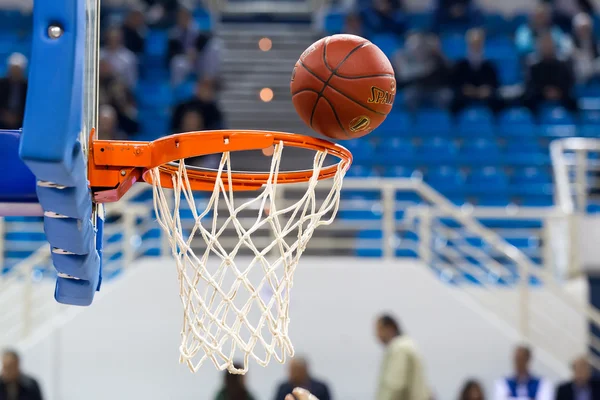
(126, 345)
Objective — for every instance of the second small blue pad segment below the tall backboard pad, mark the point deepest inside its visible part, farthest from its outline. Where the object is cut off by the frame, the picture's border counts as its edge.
(73, 235)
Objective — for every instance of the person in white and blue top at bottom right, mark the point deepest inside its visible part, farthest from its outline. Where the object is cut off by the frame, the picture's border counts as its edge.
(523, 384)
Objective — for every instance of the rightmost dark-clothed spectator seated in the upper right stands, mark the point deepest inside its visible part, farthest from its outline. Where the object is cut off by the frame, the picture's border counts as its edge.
(550, 79)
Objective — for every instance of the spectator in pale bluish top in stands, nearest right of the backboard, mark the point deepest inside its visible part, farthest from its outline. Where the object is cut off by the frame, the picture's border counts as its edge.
(123, 61)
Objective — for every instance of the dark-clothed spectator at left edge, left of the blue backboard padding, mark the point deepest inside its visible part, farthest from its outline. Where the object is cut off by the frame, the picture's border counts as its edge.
(13, 92)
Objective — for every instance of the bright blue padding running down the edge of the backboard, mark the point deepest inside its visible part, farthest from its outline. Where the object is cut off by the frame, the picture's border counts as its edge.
(50, 148)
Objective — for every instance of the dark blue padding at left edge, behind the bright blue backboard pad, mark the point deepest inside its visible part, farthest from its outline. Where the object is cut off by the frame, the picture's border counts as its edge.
(19, 184)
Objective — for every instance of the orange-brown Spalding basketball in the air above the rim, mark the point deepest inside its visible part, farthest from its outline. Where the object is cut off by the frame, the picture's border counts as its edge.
(343, 86)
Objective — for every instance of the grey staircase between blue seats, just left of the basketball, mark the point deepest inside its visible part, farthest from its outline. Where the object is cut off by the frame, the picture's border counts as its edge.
(247, 70)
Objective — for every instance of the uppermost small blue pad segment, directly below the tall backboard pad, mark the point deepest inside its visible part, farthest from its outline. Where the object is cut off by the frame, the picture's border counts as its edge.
(73, 202)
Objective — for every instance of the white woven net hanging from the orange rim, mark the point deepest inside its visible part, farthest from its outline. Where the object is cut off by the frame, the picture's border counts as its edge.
(236, 311)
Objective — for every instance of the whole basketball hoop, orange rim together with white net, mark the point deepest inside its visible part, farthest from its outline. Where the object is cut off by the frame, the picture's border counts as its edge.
(230, 310)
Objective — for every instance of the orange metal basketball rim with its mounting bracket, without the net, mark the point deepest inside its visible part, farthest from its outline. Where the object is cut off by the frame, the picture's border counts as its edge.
(114, 166)
